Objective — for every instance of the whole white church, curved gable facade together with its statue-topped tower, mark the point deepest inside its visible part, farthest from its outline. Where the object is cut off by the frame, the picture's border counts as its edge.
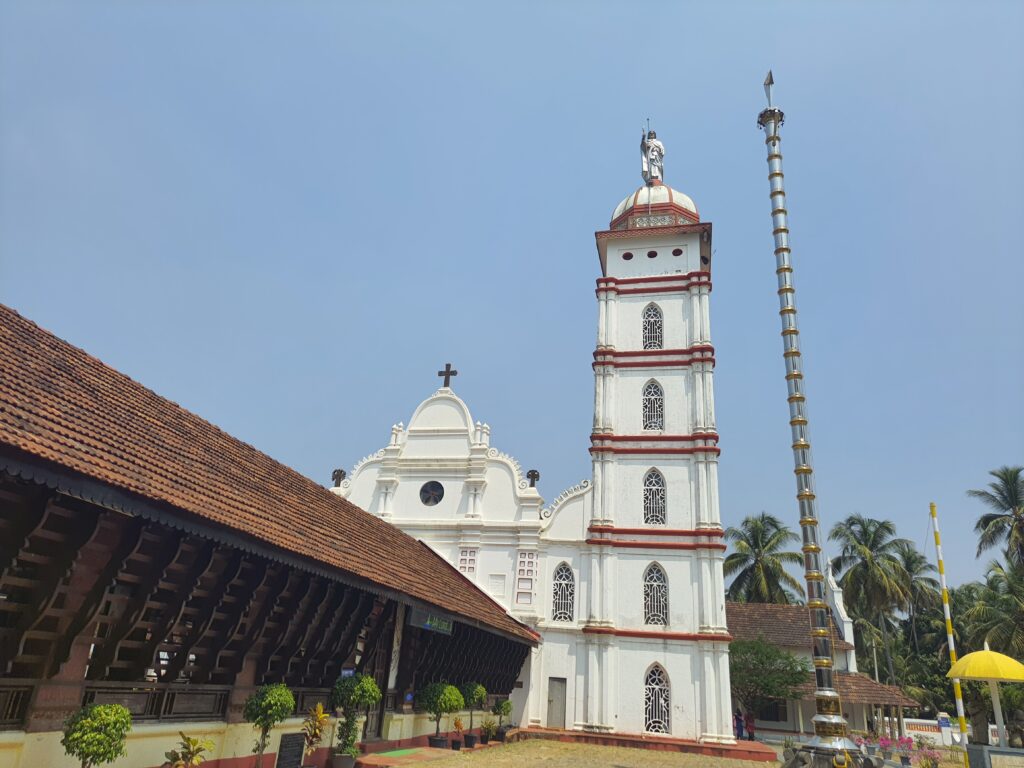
(621, 575)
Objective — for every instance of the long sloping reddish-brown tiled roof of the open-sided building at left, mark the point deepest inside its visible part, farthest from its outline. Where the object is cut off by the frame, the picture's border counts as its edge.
(64, 406)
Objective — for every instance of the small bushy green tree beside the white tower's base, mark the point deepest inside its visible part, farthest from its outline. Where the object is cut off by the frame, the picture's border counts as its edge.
(761, 672)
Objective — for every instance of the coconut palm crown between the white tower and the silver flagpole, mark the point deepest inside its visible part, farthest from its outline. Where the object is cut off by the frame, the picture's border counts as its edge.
(759, 562)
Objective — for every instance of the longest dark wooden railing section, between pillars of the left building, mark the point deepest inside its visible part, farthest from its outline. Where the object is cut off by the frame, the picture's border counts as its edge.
(163, 702)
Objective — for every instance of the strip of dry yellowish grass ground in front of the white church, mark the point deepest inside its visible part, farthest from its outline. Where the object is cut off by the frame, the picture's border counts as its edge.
(559, 755)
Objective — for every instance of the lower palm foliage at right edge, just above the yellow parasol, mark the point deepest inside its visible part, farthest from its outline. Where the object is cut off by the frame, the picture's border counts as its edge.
(998, 617)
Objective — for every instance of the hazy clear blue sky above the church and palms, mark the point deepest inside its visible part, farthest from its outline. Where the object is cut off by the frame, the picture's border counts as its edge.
(288, 217)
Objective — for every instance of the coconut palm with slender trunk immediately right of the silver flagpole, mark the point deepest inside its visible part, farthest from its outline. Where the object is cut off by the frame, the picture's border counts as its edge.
(874, 581)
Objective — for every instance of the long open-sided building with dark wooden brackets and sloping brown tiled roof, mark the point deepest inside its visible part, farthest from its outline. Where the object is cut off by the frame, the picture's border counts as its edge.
(151, 560)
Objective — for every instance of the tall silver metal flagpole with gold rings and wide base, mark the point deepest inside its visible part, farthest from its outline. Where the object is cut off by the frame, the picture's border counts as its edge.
(832, 744)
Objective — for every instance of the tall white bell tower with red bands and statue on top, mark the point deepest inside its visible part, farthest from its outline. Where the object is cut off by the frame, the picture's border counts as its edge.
(655, 529)
